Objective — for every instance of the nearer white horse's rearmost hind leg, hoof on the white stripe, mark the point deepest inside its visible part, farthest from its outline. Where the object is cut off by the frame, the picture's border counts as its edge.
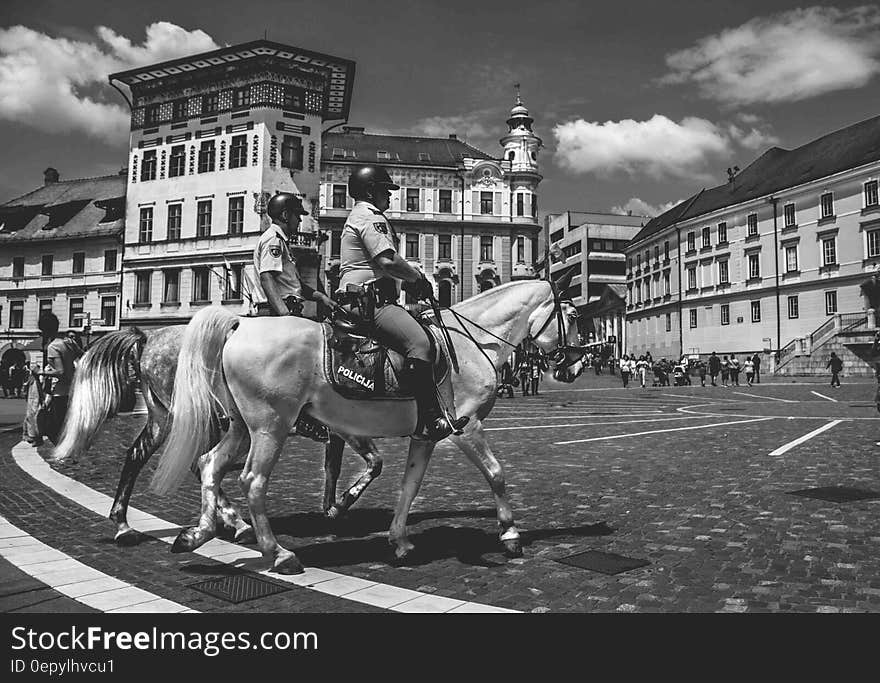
(211, 468)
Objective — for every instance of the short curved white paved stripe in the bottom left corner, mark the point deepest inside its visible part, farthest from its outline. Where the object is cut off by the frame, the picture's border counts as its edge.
(76, 580)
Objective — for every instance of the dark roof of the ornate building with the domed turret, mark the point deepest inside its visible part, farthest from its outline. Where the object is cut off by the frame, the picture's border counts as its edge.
(402, 149)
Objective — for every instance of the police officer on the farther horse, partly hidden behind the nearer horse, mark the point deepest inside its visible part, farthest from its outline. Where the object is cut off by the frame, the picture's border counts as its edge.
(279, 278)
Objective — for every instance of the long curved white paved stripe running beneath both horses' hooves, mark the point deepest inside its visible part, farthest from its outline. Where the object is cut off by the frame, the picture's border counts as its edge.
(321, 580)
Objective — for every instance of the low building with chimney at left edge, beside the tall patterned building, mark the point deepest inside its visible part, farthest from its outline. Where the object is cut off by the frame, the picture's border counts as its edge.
(60, 252)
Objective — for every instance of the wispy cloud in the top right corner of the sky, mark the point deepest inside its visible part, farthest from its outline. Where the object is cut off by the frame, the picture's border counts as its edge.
(786, 57)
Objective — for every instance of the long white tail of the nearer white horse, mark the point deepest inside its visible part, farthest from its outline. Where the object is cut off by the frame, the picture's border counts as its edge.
(195, 406)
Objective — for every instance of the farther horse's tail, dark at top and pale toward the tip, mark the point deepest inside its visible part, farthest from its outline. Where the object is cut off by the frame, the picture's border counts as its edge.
(100, 385)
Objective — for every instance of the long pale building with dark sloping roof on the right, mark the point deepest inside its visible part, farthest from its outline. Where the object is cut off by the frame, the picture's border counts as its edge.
(771, 258)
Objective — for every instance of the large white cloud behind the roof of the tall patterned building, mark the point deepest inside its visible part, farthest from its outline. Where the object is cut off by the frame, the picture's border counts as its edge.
(59, 85)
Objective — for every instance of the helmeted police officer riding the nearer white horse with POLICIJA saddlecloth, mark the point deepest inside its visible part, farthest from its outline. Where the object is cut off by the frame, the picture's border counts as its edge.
(369, 250)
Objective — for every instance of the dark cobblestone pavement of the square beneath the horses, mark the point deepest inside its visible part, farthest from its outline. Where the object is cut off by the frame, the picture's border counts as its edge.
(682, 477)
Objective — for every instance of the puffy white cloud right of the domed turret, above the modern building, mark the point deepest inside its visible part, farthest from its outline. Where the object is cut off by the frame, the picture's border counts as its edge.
(658, 147)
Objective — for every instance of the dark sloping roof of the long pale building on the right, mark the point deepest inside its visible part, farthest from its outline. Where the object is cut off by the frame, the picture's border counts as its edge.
(778, 169)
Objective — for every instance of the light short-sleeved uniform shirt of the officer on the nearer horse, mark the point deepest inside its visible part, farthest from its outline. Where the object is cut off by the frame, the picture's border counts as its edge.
(367, 233)
